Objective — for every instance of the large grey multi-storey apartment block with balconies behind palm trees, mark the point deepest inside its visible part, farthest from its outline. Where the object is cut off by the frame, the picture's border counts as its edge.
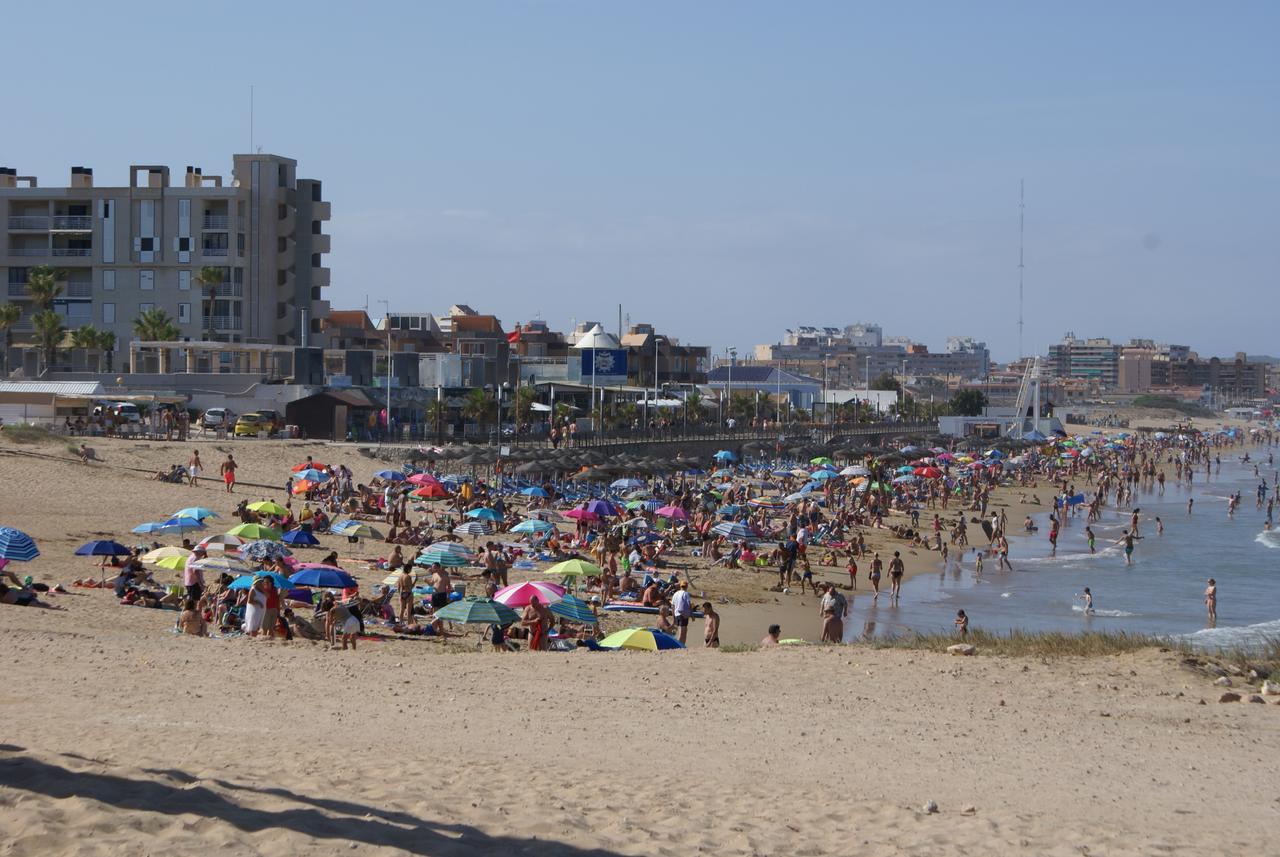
(121, 251)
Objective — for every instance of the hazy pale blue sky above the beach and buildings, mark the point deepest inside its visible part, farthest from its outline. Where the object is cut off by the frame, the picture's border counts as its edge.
(723, 169)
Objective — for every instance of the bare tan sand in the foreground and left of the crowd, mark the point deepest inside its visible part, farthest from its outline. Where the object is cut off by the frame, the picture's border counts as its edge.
(122, 739)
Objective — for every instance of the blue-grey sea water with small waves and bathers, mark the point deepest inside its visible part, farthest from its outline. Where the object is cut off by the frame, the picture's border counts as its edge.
(1160, 594)
